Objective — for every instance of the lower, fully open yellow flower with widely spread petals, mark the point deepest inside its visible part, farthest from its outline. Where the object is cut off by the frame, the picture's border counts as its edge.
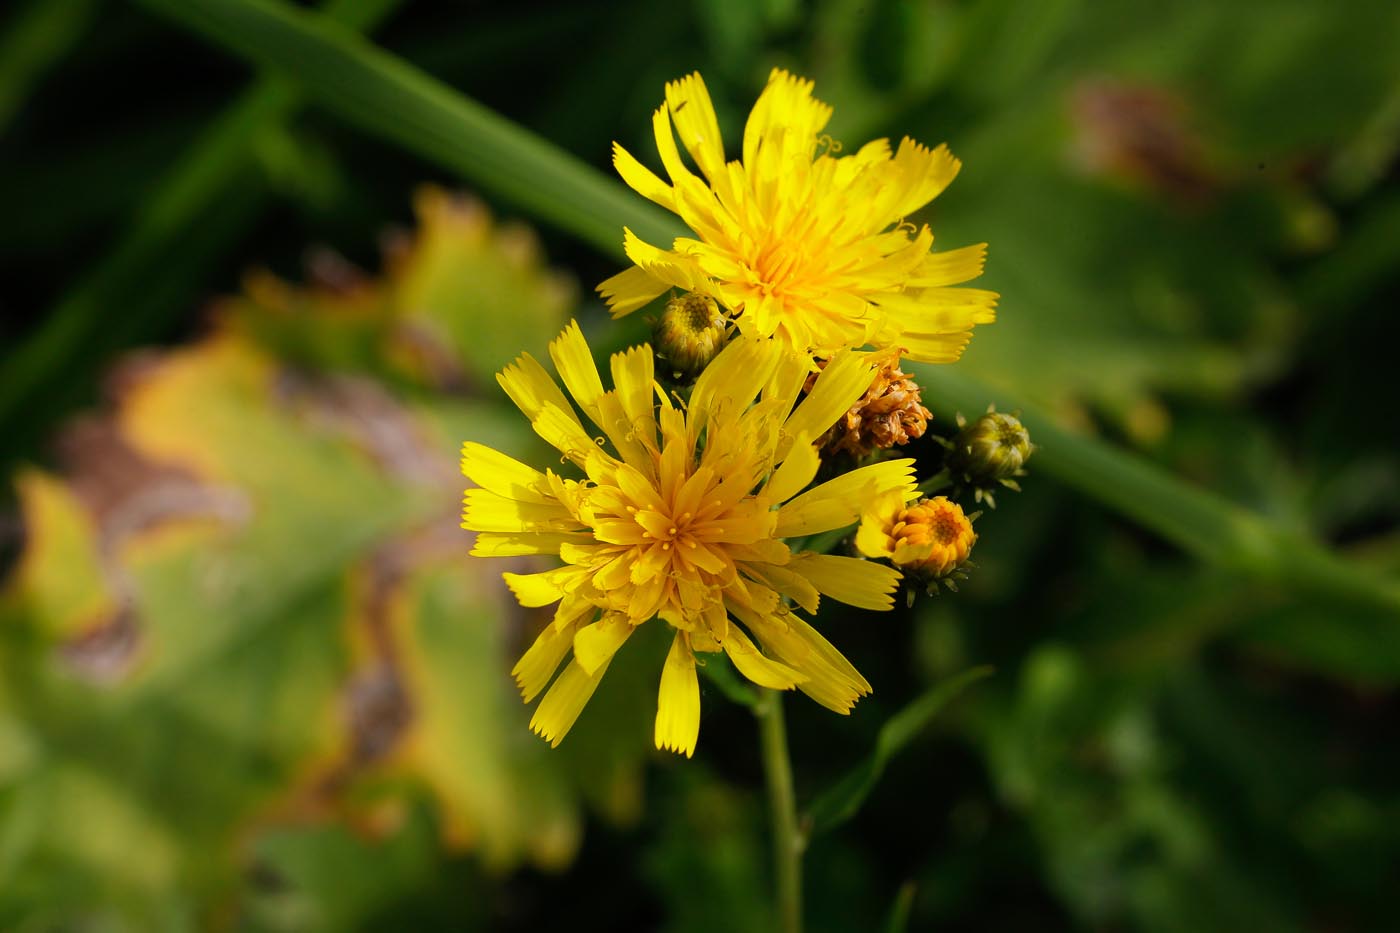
(682, 519)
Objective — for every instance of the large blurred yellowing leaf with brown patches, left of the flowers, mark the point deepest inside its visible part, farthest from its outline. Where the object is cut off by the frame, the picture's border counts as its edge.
(253, 588)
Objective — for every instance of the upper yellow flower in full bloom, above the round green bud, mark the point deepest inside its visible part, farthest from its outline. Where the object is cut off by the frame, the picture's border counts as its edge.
(797, 243)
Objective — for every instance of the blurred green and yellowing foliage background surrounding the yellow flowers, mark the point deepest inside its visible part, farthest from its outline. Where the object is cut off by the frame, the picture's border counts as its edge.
(251, 682)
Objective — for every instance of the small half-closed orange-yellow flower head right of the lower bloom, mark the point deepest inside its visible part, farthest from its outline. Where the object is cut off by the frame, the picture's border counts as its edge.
(932, 537)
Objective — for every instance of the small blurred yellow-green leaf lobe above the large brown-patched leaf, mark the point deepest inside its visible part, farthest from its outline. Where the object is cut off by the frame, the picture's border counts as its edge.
(460, 299)
